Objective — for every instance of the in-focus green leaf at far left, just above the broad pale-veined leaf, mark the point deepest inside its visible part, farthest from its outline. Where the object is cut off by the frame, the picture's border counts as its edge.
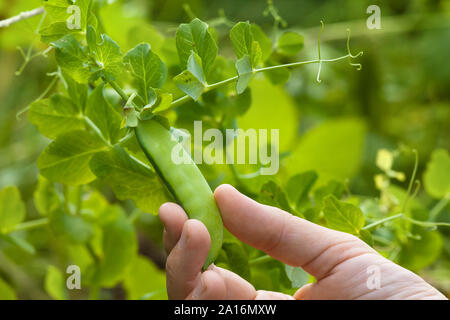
(56, 116)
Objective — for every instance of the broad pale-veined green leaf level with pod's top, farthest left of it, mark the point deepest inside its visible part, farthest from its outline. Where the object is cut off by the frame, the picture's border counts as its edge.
(66, 159)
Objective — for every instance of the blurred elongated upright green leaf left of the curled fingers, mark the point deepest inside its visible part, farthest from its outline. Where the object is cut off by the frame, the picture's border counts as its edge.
(118, 251)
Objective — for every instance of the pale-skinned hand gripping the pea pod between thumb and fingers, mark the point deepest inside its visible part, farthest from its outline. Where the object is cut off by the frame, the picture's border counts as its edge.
(339, 261)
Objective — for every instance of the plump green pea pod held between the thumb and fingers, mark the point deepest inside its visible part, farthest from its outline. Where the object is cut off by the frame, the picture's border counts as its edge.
(185, 181)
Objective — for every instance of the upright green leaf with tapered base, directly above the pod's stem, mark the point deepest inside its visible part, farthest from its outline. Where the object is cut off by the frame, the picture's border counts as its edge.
(147, 68)
